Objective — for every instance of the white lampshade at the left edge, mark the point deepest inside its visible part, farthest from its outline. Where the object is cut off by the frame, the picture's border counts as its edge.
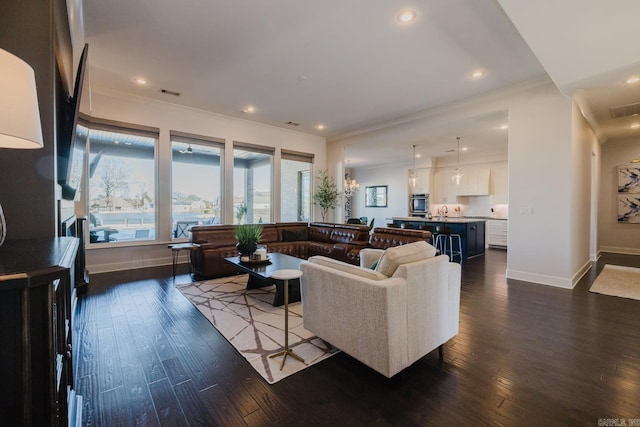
(19, 113)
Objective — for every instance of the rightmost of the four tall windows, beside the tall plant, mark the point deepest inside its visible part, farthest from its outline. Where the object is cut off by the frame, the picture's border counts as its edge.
(295, 199)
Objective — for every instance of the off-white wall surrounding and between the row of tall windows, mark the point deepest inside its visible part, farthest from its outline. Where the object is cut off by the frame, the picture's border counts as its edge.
(166, 116)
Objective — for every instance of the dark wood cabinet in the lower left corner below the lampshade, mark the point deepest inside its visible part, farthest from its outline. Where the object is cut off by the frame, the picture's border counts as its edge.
(36, 300)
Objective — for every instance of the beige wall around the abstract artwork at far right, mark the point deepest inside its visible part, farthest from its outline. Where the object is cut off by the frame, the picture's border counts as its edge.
(614, 236)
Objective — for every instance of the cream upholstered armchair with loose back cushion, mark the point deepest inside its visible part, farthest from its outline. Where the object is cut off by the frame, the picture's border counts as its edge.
(389, 317)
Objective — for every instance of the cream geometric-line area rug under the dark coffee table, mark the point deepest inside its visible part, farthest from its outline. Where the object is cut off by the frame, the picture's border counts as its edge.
(249, 321)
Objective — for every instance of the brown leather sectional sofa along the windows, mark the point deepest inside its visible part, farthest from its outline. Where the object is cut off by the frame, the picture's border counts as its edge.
(299, 239)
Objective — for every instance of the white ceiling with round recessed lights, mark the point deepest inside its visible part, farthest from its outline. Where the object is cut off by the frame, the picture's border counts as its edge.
(349, 64)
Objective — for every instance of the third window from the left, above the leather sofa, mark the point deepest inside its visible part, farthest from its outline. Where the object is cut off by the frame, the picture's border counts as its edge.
(252, 183)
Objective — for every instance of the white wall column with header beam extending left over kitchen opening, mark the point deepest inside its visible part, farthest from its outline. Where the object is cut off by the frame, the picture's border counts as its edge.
(541, 176)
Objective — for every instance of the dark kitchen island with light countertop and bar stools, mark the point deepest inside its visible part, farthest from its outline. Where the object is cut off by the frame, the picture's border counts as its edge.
(471, 230)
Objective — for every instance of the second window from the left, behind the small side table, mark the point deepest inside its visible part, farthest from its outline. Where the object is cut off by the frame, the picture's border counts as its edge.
(195, 179)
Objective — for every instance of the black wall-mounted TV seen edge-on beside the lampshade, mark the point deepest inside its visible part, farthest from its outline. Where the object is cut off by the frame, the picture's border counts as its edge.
(72, 140)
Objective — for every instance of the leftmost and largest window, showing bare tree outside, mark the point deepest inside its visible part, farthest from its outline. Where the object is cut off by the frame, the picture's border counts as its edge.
(122, 184)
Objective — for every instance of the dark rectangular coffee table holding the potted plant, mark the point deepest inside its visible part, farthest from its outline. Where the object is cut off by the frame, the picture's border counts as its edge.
(260, 275)
